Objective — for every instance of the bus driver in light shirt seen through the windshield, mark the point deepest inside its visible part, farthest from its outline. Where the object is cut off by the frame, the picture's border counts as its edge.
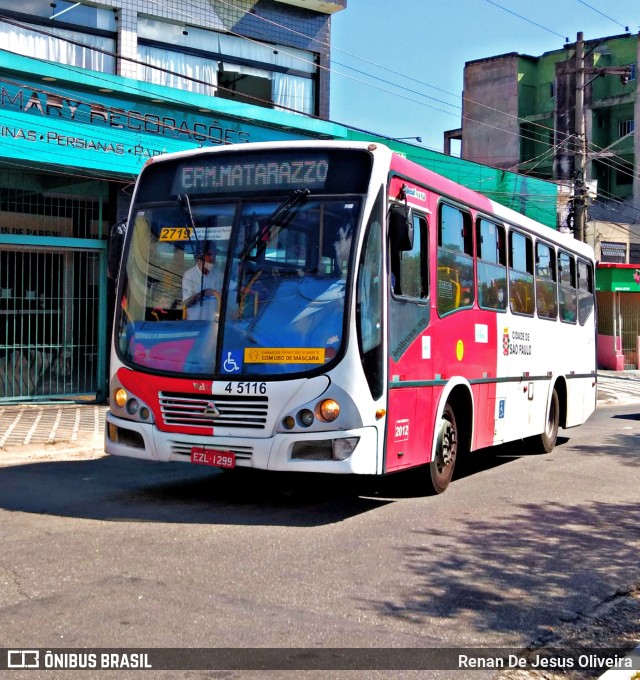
(201, 285)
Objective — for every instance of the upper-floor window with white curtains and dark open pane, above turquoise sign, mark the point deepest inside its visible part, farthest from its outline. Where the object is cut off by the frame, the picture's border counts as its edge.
(226, 66)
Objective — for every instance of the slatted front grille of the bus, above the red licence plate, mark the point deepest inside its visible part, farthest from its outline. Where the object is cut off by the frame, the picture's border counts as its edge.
(229, 410)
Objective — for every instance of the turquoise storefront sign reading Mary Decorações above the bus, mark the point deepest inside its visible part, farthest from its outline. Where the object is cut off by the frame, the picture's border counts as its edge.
(79, 124)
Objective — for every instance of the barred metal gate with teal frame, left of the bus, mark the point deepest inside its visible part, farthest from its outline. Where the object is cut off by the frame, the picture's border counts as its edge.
(53, 304)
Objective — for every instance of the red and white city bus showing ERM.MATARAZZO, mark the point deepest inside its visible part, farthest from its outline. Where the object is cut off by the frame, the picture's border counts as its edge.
(359, 314)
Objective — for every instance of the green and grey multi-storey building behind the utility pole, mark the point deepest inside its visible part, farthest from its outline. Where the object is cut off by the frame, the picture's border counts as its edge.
(519, 114)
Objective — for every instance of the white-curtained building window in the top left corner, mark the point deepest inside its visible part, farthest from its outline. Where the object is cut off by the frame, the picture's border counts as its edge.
(65, 32)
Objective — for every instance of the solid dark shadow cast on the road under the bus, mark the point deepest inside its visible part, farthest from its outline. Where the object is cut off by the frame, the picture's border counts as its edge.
(119, 489)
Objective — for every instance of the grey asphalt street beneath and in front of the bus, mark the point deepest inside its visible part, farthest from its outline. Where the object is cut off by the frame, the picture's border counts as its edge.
(111, 552)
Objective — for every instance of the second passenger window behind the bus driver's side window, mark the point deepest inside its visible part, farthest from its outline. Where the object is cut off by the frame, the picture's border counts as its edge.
(492, 270)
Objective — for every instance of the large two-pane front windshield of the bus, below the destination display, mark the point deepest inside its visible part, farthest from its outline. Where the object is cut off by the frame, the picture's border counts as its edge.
(217, 287)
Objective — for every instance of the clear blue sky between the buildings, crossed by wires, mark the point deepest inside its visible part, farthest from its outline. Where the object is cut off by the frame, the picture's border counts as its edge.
(397, 65)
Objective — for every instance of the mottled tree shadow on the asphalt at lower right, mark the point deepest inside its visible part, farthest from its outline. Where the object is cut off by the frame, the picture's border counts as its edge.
(556, 557)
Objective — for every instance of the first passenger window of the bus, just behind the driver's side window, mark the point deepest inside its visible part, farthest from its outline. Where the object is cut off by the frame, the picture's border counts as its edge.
(455, 280)
